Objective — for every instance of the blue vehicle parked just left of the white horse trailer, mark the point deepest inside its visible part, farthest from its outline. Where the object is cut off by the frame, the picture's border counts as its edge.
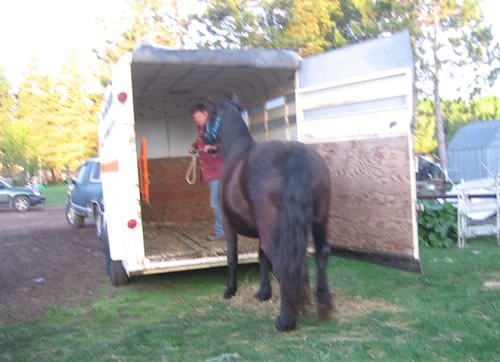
(85, 196)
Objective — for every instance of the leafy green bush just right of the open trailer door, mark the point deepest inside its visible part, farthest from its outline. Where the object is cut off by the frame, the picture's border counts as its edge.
(437, 224)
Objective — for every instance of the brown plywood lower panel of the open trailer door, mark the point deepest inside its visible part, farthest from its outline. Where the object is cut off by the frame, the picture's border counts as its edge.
(371, 194)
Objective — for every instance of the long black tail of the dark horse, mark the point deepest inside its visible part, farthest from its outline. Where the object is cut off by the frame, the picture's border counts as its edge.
(296, 216)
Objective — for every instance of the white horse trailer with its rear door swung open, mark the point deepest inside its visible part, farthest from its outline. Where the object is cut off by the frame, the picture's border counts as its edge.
(354, 105)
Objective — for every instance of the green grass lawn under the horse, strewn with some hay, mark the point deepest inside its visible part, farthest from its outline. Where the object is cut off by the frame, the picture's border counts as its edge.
(445, 313)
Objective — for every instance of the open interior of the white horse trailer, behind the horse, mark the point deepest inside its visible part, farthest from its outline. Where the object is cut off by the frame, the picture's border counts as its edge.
(166, 83)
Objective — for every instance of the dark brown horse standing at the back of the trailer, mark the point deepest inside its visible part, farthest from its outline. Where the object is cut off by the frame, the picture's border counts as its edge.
(280, 193)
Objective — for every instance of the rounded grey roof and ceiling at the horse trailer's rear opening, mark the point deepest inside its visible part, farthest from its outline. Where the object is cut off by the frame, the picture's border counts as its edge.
(255, 75)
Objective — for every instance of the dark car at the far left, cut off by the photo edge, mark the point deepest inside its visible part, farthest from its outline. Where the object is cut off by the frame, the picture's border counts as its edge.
(19, 198)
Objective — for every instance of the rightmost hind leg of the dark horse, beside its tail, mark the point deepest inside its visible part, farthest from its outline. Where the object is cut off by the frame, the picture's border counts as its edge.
(323, 295)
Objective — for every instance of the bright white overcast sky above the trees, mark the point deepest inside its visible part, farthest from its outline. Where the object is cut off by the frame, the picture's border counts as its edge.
(51, 29)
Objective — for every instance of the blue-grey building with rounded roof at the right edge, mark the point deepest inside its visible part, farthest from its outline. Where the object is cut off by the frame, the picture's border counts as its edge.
(474, 152)
